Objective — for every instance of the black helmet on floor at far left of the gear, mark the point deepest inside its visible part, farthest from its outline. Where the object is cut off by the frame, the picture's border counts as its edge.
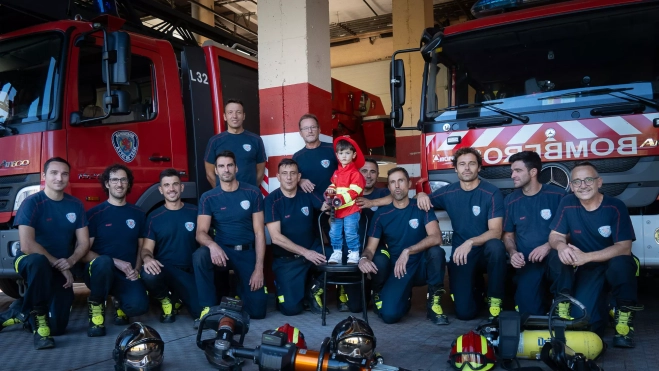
(138, 348)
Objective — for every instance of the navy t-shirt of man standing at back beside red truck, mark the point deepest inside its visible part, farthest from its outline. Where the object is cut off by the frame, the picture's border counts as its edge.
(248, 148)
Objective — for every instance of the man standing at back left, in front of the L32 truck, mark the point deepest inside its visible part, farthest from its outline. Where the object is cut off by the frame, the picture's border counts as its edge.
(246, 146)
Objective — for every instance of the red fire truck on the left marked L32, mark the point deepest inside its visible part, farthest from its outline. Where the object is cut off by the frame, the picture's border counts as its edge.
(165, 107)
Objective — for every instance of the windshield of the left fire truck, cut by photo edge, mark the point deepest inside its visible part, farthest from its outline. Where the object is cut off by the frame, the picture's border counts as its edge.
(30, 72)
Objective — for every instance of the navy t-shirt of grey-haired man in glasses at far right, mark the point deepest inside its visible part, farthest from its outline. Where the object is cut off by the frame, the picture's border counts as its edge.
(593, 230)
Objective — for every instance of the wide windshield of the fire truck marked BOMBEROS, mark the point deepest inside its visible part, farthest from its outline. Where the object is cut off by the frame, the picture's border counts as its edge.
(562, 68)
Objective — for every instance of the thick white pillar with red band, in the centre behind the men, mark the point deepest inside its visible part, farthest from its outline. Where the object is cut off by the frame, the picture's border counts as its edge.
(294, 75)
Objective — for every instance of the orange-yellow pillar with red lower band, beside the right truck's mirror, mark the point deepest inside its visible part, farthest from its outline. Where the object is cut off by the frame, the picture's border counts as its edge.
(410, 18)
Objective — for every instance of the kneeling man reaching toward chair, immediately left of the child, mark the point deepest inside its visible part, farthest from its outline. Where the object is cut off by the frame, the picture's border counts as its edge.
(290, 219)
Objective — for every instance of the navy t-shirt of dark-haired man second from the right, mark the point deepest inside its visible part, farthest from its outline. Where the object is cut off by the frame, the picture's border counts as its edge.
(529, 216)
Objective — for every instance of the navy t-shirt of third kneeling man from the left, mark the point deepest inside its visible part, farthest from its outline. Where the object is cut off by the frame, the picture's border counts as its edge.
(174, 232)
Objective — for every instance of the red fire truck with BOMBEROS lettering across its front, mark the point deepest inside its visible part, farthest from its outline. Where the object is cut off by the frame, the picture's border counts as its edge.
(571, 80)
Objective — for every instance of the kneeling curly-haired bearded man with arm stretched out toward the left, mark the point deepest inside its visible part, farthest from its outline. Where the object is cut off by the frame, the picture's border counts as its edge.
(476, 212)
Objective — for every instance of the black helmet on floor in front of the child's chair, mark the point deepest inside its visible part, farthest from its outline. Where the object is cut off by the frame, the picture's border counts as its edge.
(353, 341)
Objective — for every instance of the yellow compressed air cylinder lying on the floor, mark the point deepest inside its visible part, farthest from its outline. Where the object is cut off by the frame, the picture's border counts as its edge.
(584, 342)
